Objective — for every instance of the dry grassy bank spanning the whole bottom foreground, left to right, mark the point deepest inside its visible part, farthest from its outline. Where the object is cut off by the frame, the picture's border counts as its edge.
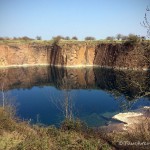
(72, 135)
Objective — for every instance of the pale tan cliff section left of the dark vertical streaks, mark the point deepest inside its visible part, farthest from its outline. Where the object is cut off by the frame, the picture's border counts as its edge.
(23, 54)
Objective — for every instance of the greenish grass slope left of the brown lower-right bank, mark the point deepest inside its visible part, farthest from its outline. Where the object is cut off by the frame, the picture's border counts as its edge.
(17, 135)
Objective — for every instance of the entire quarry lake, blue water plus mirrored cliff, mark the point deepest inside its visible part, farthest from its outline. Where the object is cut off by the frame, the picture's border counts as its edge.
(48, 95)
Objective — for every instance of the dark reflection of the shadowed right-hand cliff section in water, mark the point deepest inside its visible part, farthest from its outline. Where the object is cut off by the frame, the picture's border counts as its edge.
(132, 84)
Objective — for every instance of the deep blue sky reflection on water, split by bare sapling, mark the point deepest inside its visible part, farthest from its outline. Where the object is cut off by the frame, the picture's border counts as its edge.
(92, 106)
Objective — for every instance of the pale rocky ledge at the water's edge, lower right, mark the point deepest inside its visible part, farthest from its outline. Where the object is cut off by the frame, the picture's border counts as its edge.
(130, 121)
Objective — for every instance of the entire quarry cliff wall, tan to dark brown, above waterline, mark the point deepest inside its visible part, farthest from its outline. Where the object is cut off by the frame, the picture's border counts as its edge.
(77, 54)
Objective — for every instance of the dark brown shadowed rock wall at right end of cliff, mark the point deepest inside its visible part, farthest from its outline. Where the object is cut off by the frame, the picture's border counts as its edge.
(121, 56)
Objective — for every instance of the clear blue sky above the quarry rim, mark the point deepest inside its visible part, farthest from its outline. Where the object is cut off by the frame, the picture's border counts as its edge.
(81, 18)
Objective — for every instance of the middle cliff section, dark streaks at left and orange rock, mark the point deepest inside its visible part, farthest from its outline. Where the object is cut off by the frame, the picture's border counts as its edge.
(72, 54)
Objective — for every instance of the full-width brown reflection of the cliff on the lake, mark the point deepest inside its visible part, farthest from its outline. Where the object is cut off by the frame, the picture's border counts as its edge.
(130, 83)
